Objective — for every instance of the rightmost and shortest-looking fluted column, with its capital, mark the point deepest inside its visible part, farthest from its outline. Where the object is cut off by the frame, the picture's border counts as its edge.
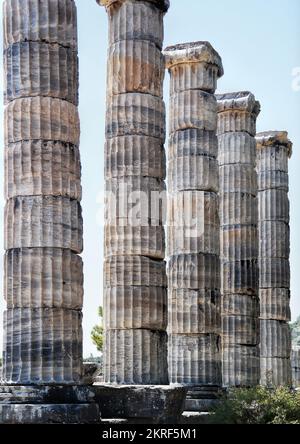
(273, 152)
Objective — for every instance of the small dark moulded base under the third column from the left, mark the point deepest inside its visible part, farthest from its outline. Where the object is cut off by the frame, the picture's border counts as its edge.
(202, 399)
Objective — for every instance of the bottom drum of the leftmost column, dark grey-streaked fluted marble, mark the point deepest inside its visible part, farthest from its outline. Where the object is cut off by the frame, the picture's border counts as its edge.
(42, 346)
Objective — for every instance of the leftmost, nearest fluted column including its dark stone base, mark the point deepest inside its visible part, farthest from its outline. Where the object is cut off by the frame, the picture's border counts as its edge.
(43, 275)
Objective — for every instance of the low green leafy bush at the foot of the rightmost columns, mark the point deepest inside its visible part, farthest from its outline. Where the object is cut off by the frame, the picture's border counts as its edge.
(258, 406)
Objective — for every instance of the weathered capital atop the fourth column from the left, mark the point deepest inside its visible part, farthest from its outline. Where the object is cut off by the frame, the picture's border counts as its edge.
(243, 101)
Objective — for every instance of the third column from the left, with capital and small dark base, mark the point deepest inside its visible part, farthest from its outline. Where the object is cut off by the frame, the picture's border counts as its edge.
(193, 222)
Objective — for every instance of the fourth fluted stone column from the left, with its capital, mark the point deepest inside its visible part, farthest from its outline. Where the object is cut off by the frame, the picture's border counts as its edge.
(237, 114)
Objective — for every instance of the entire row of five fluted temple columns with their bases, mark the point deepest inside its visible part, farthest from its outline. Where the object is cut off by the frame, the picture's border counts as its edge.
(182, 324)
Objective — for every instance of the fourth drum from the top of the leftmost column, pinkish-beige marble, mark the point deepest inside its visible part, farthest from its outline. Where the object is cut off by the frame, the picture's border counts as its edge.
(40, 167)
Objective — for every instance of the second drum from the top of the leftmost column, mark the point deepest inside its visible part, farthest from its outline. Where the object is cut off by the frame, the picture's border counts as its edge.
(39, 69)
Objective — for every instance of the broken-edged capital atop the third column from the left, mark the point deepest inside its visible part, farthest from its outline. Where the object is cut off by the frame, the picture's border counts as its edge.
(193, 52)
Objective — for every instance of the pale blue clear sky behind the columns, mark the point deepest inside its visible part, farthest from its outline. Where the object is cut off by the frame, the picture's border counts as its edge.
(259, 42)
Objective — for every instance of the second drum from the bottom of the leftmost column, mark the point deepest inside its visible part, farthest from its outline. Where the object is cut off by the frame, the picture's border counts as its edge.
(43, 277)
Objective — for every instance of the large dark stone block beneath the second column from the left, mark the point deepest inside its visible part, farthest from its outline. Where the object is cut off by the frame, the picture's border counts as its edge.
(140, 404)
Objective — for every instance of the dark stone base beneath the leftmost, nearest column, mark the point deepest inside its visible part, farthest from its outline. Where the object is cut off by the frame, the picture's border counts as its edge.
(48, 405)
